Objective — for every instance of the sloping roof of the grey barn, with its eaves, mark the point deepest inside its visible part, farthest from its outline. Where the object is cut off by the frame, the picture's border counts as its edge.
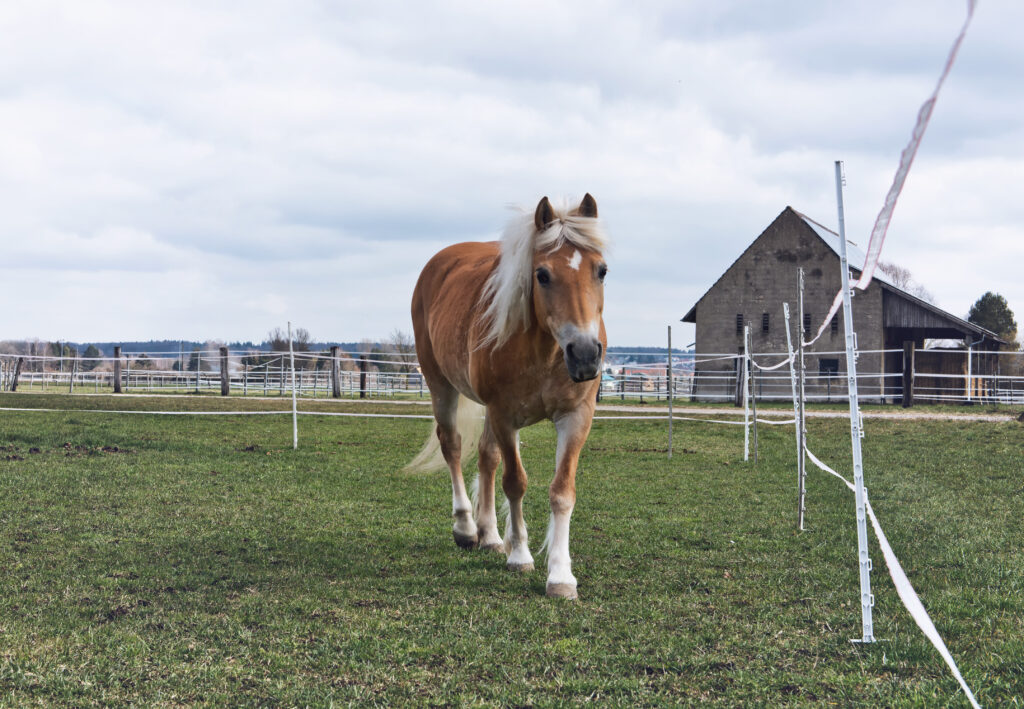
(908, 307)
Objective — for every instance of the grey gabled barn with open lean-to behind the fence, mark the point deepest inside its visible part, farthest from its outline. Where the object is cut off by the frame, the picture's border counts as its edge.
(891, 324)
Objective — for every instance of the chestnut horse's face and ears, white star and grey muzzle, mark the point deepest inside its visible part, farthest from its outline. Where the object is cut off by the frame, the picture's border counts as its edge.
(569, 291)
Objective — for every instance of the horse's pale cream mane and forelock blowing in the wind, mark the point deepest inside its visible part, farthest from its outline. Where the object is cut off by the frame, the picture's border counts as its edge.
(506, 296)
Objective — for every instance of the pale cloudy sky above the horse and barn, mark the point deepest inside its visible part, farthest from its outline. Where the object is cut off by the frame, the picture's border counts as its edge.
(193, 171)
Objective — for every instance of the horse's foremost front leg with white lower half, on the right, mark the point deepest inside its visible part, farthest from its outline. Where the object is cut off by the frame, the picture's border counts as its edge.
(573, 430)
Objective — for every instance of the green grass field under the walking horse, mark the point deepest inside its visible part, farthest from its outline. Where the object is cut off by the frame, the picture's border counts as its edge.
(170, 561)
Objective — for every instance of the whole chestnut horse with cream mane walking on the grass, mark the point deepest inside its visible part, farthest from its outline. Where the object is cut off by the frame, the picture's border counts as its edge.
(515, 326)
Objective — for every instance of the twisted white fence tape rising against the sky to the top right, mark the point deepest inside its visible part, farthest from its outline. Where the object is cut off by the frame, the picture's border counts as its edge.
(907, 159)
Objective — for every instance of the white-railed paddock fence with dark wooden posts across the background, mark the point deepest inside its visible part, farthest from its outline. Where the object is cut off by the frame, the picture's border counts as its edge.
(992, 379)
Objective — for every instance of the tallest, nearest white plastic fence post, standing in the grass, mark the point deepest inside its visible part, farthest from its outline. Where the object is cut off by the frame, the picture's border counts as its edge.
(857, 432)
